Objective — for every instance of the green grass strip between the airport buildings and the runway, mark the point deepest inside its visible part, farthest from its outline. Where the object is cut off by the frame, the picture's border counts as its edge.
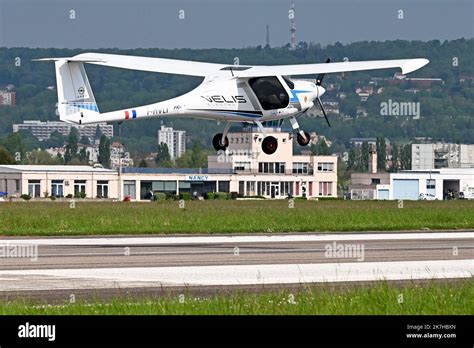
(53, 218)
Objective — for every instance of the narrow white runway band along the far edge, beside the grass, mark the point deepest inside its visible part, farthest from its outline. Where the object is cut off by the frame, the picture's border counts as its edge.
(189, 240)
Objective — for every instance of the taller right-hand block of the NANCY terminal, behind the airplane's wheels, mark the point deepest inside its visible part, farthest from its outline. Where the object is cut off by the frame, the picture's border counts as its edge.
(275, 175)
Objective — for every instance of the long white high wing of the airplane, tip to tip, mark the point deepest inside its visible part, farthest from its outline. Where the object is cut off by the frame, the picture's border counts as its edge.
(183, 67)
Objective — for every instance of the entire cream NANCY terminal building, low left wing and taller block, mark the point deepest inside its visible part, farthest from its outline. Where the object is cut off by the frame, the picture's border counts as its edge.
(243, 168)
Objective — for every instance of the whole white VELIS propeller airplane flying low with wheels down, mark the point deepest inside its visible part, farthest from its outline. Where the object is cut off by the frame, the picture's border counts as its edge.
(229, 93)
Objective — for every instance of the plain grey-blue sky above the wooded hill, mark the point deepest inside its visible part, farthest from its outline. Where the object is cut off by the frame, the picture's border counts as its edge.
(171, 24)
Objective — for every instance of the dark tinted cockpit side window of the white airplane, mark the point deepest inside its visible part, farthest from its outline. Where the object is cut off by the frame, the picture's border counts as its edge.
(270, 92)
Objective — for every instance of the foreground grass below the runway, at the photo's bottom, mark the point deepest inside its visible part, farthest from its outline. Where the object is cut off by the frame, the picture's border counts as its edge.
(430, 298)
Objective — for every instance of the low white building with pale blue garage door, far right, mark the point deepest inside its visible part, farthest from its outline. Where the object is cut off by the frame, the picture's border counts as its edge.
(438, 182)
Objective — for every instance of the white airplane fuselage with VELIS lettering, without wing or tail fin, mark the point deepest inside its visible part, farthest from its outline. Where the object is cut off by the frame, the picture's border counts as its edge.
(224, 99)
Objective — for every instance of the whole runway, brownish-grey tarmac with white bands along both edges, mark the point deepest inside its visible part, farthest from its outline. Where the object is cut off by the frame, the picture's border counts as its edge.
(106, 263)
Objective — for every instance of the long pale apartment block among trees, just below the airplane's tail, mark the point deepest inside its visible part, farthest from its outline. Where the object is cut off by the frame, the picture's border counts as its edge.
(43, 130)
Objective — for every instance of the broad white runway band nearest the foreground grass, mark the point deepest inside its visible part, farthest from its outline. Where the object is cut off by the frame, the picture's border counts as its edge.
(96, 278)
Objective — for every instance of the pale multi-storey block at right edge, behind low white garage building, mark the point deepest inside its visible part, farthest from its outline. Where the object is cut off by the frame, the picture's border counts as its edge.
(441, 155)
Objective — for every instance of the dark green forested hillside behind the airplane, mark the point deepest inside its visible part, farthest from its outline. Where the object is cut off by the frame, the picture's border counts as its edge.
(447, 110)
